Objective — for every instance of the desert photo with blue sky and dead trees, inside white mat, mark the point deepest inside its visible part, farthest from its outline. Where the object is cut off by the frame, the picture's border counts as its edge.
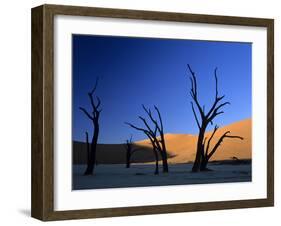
(158, 112)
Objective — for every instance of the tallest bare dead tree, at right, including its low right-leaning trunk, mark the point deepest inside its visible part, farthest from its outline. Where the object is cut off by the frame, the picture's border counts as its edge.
(205, 118)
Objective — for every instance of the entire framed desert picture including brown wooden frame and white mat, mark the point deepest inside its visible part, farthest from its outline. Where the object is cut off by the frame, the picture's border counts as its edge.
(145, 112)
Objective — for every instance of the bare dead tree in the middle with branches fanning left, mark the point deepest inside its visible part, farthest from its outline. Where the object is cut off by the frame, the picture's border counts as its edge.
(156, 135)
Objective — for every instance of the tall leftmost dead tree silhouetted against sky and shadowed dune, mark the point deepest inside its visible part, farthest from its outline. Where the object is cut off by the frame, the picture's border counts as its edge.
(94, 117)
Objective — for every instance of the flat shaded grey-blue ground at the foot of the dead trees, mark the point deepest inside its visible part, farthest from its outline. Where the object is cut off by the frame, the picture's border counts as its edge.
(141, 175)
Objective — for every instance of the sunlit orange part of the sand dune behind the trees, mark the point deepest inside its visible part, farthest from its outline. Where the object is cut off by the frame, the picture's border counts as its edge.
(183, 146)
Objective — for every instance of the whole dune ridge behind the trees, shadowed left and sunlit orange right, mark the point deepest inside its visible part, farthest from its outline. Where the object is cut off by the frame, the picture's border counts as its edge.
(181, 147)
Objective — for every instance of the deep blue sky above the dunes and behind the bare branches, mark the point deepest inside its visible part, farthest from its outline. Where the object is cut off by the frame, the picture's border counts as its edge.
(150, 71)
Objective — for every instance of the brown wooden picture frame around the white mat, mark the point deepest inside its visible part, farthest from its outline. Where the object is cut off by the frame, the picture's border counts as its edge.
(42, 205)
